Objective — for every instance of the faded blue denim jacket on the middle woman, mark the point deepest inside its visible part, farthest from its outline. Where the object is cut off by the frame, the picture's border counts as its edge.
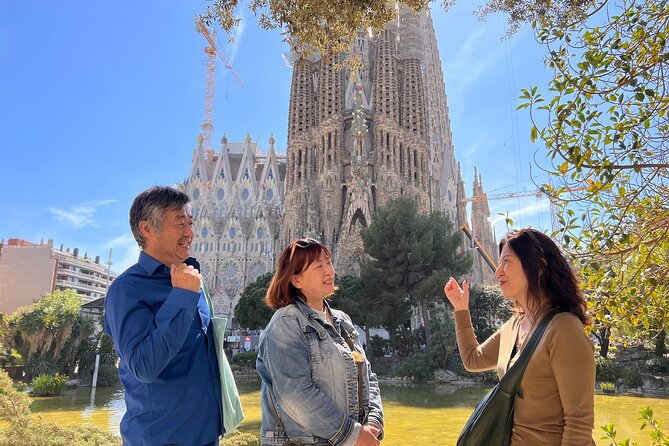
(309, 375)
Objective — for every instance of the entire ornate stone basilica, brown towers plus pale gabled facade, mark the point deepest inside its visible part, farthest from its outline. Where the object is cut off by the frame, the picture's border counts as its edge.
(355, 140)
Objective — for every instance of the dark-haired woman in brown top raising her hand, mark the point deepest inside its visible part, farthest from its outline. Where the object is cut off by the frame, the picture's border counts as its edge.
(556, 401)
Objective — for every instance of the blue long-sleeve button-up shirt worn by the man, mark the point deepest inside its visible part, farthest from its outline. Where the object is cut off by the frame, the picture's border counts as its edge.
(168, 363)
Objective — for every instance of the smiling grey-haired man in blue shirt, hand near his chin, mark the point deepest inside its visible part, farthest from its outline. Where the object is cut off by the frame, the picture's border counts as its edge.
(159, 320)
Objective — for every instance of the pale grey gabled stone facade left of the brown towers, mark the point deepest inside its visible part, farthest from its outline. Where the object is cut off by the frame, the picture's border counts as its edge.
(237, 201)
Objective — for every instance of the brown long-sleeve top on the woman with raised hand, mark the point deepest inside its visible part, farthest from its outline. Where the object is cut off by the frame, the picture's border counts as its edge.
(558, 387)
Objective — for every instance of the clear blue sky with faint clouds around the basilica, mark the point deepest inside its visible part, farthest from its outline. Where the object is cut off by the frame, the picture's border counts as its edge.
(101, 100)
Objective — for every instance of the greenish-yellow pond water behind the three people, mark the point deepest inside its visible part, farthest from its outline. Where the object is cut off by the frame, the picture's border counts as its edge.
(426, 414)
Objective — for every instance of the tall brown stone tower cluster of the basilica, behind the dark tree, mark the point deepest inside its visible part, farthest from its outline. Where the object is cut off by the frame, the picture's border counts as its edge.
(358, 139)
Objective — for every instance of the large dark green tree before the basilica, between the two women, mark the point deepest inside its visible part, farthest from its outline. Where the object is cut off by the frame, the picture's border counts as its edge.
(407, 250)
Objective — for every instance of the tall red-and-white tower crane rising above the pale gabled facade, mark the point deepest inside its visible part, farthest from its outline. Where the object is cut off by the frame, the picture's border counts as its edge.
(212, 51)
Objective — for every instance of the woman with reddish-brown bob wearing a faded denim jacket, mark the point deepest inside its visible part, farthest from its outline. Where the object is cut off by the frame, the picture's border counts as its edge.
(317, 386)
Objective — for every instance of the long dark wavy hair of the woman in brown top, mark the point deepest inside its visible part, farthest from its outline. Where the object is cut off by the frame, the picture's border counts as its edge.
(548, 272)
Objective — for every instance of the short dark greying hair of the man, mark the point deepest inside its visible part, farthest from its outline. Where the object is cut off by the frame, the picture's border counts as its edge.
(151, 205)
